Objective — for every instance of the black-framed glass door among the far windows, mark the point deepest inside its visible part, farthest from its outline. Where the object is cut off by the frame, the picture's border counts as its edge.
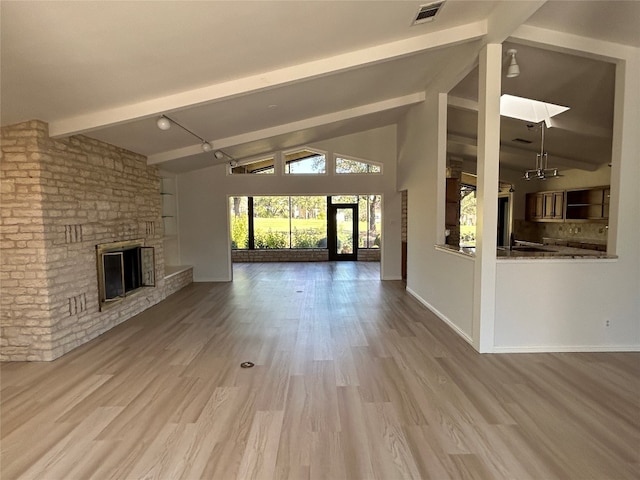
(342, 238)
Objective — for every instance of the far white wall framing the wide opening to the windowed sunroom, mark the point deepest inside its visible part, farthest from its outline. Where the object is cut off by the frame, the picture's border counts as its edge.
(203, 207)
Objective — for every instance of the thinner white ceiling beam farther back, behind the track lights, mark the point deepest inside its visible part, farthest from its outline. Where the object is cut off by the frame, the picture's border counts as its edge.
(312, 122)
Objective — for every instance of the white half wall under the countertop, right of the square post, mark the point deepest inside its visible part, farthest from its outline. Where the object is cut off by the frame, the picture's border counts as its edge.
(562, 305)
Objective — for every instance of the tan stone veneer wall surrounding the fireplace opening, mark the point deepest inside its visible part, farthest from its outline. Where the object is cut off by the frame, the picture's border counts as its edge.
(59, 199)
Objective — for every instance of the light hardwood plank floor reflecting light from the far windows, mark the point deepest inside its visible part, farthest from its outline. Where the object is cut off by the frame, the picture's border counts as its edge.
(353, 379)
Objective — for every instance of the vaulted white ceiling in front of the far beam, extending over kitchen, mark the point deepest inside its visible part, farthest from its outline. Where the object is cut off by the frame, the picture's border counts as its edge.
(252, 77)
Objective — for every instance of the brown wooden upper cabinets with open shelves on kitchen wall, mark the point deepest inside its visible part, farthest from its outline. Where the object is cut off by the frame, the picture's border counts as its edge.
(587, 204)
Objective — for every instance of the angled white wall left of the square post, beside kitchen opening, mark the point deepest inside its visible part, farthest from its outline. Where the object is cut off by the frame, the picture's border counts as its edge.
(442, 281)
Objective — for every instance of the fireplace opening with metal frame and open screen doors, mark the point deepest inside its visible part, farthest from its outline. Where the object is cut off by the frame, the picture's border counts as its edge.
(124, 268)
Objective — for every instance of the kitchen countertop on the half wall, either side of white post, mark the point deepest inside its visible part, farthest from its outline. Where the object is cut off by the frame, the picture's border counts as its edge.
(529, 250)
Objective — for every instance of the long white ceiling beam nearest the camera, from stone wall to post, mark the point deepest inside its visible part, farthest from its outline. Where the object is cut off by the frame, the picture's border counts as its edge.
(268, 80)
